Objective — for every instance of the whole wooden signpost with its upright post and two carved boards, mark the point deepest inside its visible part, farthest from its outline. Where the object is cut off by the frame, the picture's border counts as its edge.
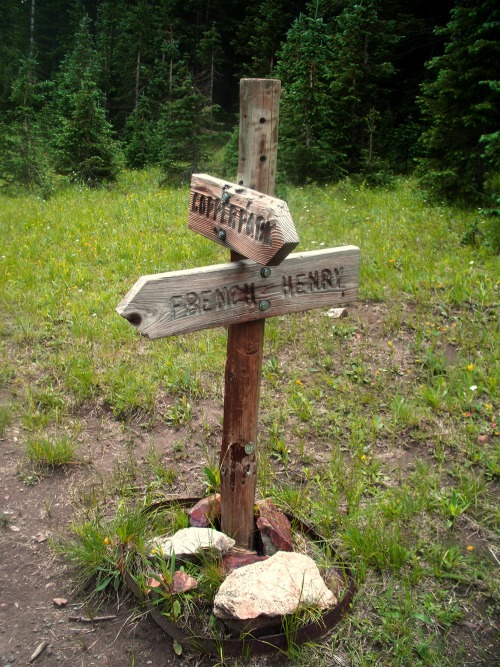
(262, 280)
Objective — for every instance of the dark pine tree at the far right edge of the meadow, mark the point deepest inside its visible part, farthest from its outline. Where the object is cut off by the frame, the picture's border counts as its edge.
(460, 106)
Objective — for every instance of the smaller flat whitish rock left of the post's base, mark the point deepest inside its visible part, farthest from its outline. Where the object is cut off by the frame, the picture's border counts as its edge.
(187, 542)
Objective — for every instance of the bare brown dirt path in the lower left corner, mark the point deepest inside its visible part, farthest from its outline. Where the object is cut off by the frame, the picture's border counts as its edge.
(38, 510)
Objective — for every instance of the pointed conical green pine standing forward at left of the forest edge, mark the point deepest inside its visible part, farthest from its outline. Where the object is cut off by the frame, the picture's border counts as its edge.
(85, 149)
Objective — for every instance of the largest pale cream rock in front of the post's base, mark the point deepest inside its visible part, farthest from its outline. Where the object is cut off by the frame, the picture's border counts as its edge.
(261, 594)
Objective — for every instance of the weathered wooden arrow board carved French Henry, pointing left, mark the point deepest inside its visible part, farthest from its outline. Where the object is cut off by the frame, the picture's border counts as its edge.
(179, 302)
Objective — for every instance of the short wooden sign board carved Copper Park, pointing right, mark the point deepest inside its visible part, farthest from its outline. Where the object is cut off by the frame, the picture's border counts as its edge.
(252, 224)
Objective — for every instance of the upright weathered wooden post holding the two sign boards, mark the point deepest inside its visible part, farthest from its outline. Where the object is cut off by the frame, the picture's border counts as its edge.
(258, 146)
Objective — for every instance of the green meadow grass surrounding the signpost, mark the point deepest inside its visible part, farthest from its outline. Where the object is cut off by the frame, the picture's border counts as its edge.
(380, 428)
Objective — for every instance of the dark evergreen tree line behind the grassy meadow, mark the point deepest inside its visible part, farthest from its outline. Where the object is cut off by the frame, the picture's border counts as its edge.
(370, 87)
